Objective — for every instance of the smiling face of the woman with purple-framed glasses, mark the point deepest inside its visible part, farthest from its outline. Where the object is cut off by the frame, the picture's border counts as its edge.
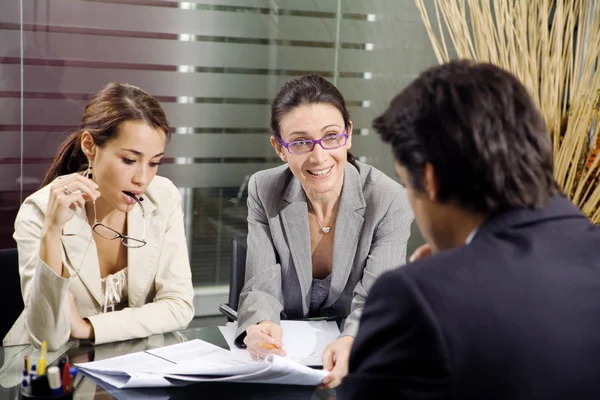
(320, 171)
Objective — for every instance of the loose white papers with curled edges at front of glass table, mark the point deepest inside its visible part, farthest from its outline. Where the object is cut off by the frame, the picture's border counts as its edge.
(196, 361)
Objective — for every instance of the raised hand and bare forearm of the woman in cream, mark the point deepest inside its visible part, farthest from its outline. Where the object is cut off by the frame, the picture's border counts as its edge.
(66, 194)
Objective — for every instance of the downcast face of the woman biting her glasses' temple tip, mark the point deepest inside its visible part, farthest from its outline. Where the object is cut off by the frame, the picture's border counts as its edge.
(127, 163)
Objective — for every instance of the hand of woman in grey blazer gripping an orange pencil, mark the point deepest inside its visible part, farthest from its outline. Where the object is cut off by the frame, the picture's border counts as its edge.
(264, 338)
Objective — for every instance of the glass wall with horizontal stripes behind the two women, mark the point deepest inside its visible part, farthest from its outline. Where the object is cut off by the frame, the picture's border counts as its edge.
(214, 65)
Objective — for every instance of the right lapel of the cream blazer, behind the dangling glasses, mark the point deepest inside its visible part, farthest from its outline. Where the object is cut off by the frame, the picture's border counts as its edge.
(141, 260)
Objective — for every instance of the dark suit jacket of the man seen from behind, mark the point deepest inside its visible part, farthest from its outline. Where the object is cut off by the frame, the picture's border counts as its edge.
(515, 314)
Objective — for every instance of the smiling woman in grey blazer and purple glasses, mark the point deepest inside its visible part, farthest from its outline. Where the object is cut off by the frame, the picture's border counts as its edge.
(321, 228)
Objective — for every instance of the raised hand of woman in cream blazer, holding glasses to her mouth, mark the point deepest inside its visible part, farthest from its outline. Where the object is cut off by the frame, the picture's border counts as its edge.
(68, 192)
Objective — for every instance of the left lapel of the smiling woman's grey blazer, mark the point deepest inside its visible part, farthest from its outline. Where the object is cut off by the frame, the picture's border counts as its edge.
(294, 216)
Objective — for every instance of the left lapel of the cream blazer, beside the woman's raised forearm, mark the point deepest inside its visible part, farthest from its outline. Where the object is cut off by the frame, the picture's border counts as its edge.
(81, 252)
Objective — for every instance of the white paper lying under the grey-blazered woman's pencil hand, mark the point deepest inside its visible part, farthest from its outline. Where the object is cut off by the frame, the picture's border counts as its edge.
(303, 341)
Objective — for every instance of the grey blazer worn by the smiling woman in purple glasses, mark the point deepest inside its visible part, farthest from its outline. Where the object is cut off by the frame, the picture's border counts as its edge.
(371, 232)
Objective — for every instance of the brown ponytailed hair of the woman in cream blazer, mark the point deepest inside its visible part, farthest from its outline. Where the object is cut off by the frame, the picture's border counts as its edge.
(107, 110)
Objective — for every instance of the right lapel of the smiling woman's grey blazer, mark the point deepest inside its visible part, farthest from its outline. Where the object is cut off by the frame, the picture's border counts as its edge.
(348, 226)
